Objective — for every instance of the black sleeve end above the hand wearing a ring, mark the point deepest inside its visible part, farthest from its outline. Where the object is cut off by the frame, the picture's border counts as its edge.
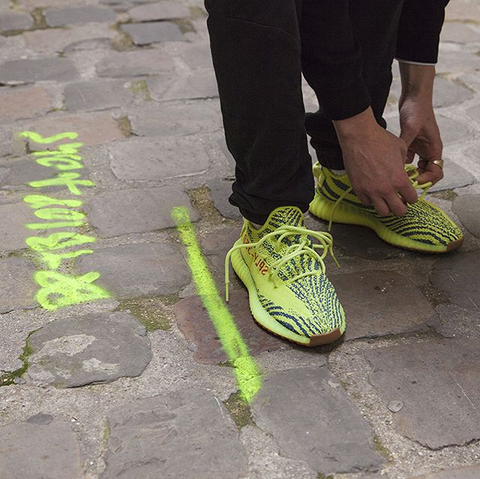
(419, 30)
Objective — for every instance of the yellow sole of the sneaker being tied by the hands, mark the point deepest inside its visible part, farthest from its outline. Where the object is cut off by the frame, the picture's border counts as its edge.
(348, 214)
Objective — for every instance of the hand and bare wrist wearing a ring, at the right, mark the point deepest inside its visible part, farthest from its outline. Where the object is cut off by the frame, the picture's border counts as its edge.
(419, 128)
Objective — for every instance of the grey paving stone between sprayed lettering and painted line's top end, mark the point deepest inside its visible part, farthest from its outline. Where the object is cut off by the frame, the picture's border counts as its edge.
(116, 213)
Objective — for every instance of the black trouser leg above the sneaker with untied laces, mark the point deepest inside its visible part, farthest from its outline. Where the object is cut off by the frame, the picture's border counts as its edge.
(257, 59)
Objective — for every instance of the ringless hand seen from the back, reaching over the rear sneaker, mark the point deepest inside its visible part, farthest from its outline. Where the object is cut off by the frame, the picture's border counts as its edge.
(375, 163)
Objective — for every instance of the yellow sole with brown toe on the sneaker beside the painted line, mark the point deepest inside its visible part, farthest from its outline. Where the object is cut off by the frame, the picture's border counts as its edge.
(269, 323)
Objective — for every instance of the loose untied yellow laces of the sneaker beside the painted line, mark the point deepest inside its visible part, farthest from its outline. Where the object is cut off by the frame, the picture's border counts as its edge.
(303, 246)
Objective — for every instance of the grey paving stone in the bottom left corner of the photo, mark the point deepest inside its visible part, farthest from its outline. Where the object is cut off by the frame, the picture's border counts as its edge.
(53, 451)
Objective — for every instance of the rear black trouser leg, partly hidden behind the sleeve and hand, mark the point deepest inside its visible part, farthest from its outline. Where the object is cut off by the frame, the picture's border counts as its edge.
(375, 23)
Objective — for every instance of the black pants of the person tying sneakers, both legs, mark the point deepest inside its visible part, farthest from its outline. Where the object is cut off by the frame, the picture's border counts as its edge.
(256, 48)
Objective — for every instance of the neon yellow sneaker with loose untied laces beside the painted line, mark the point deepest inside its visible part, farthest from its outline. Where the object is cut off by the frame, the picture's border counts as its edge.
(284, 272)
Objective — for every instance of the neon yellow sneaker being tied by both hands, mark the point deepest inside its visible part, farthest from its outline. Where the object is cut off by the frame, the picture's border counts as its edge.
(425, 227)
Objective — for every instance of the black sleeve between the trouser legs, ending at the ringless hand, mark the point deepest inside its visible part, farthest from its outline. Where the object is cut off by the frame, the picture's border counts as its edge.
(332, 59)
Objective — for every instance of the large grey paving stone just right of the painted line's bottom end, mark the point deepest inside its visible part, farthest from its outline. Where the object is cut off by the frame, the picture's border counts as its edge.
(314, 422)
